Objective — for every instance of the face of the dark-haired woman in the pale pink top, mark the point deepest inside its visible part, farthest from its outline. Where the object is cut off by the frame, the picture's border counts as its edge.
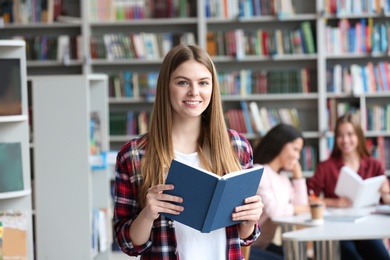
(290, 154)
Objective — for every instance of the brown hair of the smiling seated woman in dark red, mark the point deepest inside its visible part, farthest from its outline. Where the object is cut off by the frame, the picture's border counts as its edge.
(355, 122)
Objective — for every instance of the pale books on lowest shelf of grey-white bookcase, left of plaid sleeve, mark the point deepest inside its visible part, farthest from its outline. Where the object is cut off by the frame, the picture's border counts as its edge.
(101, 230)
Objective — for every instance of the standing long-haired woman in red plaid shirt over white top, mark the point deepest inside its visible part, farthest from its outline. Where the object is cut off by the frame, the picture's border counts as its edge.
(187, 123)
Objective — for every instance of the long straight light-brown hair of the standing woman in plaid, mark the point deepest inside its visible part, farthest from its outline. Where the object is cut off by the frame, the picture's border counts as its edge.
(214, 148)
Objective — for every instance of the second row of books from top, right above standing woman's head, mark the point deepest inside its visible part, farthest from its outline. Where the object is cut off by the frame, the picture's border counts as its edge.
(240, 43)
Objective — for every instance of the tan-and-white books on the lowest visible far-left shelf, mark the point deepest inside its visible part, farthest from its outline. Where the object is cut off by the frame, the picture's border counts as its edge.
(13, 234)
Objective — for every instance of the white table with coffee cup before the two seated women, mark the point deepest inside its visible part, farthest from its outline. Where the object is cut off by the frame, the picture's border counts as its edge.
(327, 235)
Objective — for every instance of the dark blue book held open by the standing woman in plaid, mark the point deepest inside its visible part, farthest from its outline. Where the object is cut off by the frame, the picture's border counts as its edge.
(208, 199)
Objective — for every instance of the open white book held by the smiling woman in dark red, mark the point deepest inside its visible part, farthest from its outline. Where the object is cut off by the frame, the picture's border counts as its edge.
(361, 192)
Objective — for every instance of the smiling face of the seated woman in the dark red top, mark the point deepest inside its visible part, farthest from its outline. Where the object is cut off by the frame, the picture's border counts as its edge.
(346, 138)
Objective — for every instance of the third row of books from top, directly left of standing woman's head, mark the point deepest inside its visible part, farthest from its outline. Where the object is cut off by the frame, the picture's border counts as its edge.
(132, 84)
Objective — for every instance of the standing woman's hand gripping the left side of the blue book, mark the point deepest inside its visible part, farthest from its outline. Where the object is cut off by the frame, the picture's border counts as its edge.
(158, 202)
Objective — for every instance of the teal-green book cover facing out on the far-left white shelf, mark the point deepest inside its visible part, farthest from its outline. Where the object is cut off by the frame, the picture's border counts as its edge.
(11, 168)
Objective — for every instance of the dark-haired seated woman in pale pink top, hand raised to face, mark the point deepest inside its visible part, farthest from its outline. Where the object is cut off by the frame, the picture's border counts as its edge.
(279, 151)
